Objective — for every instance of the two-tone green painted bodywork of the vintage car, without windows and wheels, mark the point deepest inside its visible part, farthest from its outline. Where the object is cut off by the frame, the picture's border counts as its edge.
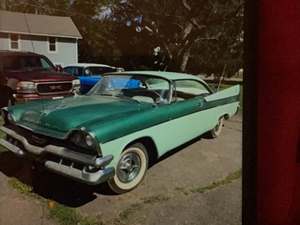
(115, 123)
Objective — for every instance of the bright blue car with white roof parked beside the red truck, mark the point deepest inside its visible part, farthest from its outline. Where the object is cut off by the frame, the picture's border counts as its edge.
(89, 74)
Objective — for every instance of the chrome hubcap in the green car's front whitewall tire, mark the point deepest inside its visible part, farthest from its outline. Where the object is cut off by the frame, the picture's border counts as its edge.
(129, 167)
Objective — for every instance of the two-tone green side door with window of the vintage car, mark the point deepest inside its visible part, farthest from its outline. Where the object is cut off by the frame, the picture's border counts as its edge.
(187, 118)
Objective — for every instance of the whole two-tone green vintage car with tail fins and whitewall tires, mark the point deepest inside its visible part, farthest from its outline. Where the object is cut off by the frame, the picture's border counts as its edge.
(125, 122)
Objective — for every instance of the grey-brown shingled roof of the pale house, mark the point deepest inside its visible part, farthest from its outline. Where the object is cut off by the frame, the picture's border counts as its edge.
(41, 25)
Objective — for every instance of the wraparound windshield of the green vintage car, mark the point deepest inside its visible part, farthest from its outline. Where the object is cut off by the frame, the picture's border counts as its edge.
(139, 88)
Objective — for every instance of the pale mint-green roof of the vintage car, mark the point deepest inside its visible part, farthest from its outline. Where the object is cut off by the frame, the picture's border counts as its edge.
(163, 74)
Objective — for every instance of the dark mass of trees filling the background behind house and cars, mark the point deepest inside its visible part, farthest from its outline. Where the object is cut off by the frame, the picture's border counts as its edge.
(177, 35)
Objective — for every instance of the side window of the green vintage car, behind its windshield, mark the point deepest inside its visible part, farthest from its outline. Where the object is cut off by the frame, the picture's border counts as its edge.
(186, 89)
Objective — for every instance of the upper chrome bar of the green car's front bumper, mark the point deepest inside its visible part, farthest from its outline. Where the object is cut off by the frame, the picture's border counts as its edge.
(55, 150)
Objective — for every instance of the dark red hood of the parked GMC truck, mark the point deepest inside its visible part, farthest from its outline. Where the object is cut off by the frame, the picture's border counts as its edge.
(40, 76)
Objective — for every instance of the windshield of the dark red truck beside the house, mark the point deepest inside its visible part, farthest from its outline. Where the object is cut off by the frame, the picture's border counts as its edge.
(13, 63)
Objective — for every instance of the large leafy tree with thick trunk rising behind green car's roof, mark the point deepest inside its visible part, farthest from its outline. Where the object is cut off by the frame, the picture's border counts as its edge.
(182, 27)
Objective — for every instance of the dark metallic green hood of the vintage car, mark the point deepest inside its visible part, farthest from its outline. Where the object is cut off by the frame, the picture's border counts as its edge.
(74, 112)
